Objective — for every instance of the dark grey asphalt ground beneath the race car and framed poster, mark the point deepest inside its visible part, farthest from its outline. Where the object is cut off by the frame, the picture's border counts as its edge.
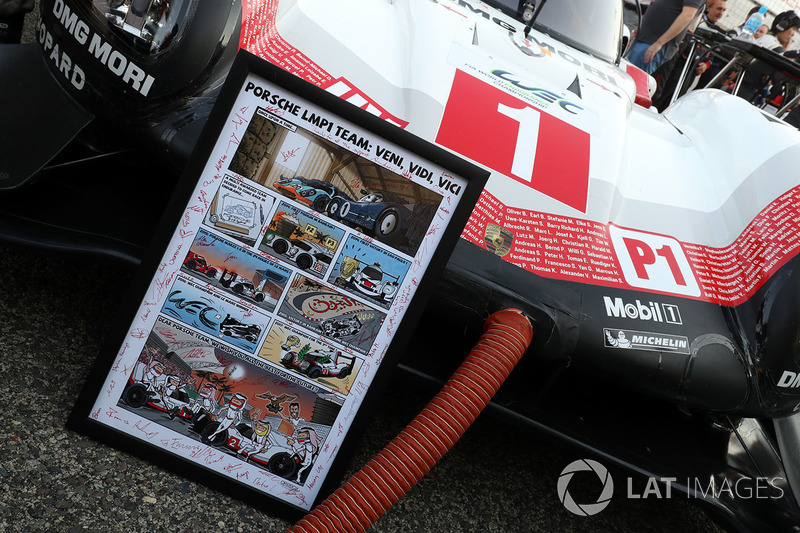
(54, 312)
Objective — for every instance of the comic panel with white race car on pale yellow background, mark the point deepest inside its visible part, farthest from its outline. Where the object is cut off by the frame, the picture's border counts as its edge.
(310, 357)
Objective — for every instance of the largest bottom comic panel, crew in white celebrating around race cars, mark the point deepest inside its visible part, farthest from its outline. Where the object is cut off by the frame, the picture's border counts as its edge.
(203, 390)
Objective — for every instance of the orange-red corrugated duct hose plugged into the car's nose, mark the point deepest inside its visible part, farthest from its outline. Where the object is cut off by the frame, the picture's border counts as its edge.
(371, 491)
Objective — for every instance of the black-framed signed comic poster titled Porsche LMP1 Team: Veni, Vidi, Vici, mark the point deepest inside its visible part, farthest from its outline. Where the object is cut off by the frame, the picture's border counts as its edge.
(296, 255)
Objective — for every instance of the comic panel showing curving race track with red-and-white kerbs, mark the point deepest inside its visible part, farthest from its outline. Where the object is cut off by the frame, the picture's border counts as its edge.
(332, 314)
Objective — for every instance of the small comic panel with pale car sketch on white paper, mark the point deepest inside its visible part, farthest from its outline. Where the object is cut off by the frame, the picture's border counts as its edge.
(239, 210)
